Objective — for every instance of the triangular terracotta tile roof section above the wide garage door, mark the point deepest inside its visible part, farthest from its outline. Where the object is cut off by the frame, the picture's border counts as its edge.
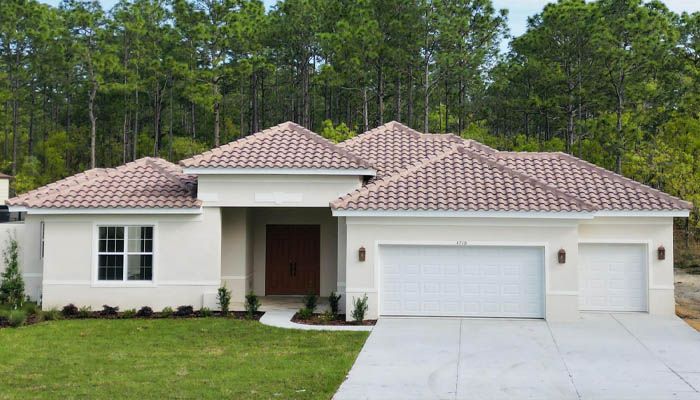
(459, 179)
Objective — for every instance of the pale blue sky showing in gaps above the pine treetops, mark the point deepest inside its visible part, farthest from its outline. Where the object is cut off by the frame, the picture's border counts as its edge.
(518, 10)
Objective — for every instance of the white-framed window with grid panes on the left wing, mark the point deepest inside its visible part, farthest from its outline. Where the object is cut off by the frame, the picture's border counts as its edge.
(125, 253)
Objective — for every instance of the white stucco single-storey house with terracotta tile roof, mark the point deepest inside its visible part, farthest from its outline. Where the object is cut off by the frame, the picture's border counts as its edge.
(424, 225)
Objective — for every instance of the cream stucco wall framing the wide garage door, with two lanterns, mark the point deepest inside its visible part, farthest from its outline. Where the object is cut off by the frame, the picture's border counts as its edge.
(561, 279)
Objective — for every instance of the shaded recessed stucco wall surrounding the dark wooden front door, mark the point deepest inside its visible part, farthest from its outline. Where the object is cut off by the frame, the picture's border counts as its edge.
(329, 241)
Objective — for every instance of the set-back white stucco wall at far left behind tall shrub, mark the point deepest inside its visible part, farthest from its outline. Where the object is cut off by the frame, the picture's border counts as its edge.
(28, 236)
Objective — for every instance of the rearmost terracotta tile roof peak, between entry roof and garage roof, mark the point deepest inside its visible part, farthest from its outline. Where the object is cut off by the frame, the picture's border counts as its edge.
(393, 146)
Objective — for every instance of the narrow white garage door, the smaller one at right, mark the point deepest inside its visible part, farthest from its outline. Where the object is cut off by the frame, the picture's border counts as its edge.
(612, 277)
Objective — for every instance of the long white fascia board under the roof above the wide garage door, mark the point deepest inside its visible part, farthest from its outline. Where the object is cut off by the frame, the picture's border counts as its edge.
(463, 214)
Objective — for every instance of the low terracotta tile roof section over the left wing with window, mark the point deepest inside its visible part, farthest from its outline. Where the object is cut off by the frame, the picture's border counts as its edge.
(144, 183)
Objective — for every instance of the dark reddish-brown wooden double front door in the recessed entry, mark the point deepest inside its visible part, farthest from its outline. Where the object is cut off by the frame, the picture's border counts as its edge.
(293, 259)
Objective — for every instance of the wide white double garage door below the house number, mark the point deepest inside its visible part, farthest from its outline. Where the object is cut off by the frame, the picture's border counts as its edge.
(464, 281)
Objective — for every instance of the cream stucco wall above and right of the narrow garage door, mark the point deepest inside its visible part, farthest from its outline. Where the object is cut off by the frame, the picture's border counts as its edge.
(651, 232)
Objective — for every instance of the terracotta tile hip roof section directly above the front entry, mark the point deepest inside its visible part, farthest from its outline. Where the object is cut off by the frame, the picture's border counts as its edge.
(287, 145)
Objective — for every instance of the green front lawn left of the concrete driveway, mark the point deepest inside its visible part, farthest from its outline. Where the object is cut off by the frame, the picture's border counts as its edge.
(173, 358)
